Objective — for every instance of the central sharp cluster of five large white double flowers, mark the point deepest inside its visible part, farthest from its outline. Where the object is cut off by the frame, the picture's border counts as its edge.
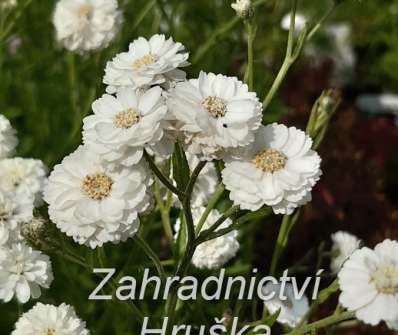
(98, 192)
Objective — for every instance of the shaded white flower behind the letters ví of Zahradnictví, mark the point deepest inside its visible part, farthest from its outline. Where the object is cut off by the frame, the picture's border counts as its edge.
(292, 308)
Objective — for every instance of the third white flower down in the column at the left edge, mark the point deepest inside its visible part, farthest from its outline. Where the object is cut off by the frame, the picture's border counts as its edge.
(12, 215)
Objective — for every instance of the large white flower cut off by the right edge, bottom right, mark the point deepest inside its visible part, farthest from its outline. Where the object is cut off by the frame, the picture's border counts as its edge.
(369, 283)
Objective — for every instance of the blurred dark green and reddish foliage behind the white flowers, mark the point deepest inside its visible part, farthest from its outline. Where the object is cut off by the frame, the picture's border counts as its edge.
(45, 91)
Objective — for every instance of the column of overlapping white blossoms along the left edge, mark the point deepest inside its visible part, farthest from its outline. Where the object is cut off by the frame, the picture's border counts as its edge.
(23, 271)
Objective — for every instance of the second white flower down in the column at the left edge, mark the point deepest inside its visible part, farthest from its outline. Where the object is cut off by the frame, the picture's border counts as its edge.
(23, 177)
